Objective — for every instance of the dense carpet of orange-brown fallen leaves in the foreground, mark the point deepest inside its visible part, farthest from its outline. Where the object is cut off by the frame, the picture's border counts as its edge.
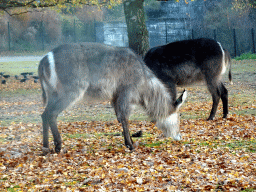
(213, 155)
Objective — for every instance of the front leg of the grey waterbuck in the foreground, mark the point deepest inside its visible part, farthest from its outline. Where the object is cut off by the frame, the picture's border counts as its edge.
(121, 104)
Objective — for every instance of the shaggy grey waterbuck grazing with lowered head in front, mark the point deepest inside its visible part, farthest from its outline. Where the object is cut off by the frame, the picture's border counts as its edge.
(96, 71)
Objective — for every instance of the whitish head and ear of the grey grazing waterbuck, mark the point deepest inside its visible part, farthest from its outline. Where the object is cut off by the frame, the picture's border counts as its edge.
(170, 126)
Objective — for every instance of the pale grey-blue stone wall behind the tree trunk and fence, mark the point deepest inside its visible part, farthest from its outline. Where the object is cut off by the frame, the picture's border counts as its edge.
(173, 24)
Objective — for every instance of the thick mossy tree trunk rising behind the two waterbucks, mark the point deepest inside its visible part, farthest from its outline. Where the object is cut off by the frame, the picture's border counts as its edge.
(136, 26)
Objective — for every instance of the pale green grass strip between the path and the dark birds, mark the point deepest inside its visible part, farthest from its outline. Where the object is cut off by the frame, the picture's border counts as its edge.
(16, 67)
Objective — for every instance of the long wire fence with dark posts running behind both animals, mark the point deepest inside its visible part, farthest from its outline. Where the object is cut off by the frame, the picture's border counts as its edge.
(42, 37)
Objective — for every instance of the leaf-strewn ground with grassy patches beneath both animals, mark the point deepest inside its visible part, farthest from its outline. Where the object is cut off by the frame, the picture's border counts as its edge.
(218, 155)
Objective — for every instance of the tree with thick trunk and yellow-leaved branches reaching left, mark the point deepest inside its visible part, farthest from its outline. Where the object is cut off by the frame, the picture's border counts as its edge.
(134, 14)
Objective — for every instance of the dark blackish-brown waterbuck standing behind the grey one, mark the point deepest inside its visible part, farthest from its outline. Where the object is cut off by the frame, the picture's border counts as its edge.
(188, 62)
